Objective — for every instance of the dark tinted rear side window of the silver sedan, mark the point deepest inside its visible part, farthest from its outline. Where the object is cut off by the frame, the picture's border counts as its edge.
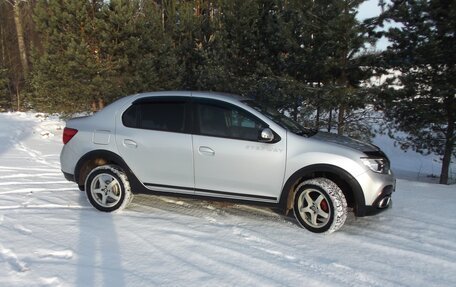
(156, 115)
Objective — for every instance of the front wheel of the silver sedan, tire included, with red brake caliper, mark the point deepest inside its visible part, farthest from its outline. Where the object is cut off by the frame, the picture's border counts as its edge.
(319, 205)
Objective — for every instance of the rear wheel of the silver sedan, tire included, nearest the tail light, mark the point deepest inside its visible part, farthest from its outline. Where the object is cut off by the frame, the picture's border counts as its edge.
(108, 189)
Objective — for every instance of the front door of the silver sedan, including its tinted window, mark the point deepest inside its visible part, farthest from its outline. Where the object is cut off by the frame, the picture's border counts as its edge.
(228, 157)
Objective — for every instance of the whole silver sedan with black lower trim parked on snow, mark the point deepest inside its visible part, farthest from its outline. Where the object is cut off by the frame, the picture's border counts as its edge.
(226, 147)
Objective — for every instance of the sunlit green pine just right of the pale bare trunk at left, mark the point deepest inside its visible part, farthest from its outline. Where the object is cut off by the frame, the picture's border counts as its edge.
(68, 72)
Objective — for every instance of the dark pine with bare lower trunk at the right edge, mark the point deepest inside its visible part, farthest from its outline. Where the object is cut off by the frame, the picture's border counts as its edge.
(421, 100)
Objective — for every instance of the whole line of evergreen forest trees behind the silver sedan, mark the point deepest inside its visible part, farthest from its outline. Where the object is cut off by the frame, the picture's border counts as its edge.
(308, 58)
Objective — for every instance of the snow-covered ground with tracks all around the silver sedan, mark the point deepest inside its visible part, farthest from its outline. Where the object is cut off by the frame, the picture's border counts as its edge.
(50, 236)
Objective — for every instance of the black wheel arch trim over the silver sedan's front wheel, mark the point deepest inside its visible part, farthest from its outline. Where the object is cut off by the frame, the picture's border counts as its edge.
(346, 182)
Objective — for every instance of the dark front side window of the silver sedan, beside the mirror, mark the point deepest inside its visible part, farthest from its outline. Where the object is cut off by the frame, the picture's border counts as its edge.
(228, 121)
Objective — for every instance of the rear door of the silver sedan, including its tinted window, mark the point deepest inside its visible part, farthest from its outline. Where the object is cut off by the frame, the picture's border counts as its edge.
(152, 137)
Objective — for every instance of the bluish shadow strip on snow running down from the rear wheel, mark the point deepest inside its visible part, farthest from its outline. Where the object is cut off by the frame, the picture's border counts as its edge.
(100, 257)
